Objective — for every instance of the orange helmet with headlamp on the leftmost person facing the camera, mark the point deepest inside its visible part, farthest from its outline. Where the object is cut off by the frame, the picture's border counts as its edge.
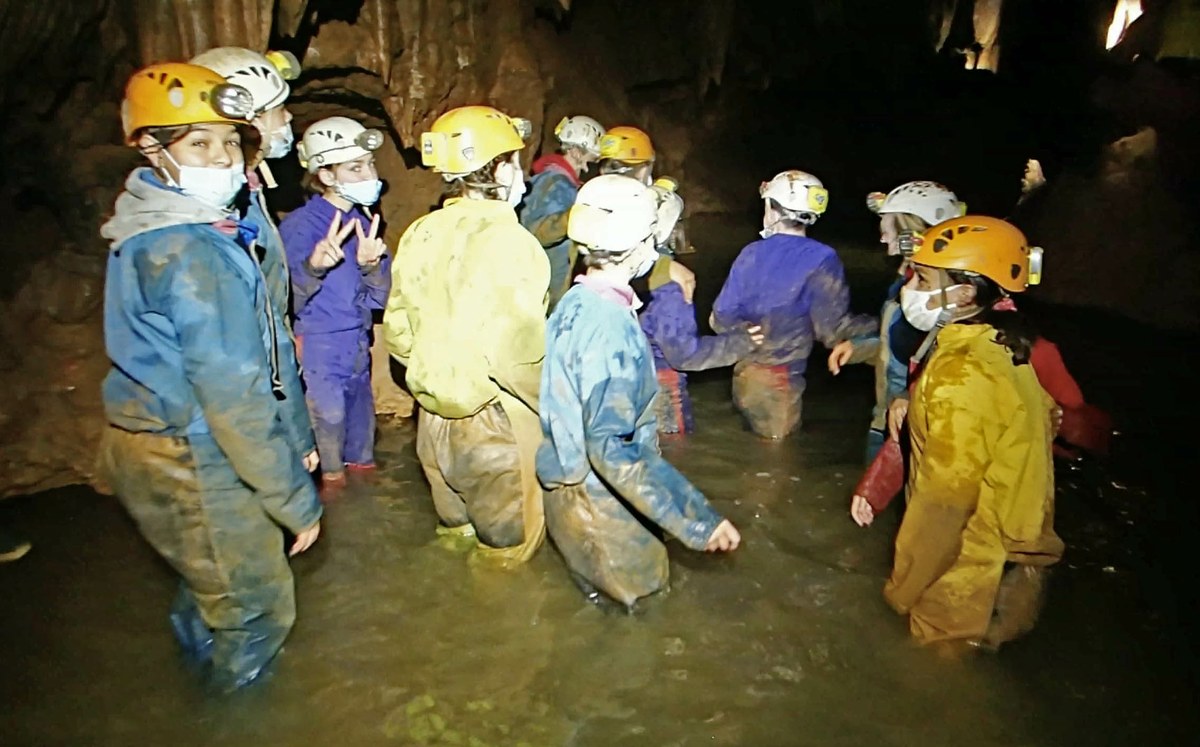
(176, 94)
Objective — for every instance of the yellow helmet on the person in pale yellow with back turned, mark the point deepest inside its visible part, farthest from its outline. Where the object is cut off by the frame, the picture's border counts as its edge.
(466, 140)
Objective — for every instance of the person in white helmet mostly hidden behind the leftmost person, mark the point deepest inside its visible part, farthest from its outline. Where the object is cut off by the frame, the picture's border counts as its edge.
(266, 79)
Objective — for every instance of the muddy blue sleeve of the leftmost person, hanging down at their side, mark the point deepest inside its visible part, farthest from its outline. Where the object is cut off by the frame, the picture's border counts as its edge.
(226, 366)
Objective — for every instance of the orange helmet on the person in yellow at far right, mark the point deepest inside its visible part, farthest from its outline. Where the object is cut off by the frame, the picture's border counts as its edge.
(987, 247)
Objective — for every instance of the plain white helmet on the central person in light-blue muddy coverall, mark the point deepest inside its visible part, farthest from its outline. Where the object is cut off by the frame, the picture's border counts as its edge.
(614, 214)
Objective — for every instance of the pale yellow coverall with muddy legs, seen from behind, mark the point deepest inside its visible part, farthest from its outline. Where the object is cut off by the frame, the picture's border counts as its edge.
(467, 318)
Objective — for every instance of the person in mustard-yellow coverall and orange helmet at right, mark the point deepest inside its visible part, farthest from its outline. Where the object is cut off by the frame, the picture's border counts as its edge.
(981, 485)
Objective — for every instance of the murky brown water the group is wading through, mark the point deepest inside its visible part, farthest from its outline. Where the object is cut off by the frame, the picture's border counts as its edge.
(785, 643)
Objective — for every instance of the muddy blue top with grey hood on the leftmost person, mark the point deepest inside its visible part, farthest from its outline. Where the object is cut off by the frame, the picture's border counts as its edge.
(188, 326)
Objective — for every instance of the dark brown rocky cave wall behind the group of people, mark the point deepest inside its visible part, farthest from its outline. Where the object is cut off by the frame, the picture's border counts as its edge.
(865, 94)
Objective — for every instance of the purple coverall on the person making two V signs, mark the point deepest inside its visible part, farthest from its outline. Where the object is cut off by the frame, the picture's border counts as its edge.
(333, 328)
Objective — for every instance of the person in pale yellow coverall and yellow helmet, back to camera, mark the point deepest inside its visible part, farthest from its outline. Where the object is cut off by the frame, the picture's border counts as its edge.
(467, 318)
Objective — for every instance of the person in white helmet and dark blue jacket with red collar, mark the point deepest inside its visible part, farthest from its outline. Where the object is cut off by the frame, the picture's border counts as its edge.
(553, 189)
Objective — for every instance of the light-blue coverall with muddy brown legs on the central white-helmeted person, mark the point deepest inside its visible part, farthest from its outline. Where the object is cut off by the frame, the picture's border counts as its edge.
(601, 459)
